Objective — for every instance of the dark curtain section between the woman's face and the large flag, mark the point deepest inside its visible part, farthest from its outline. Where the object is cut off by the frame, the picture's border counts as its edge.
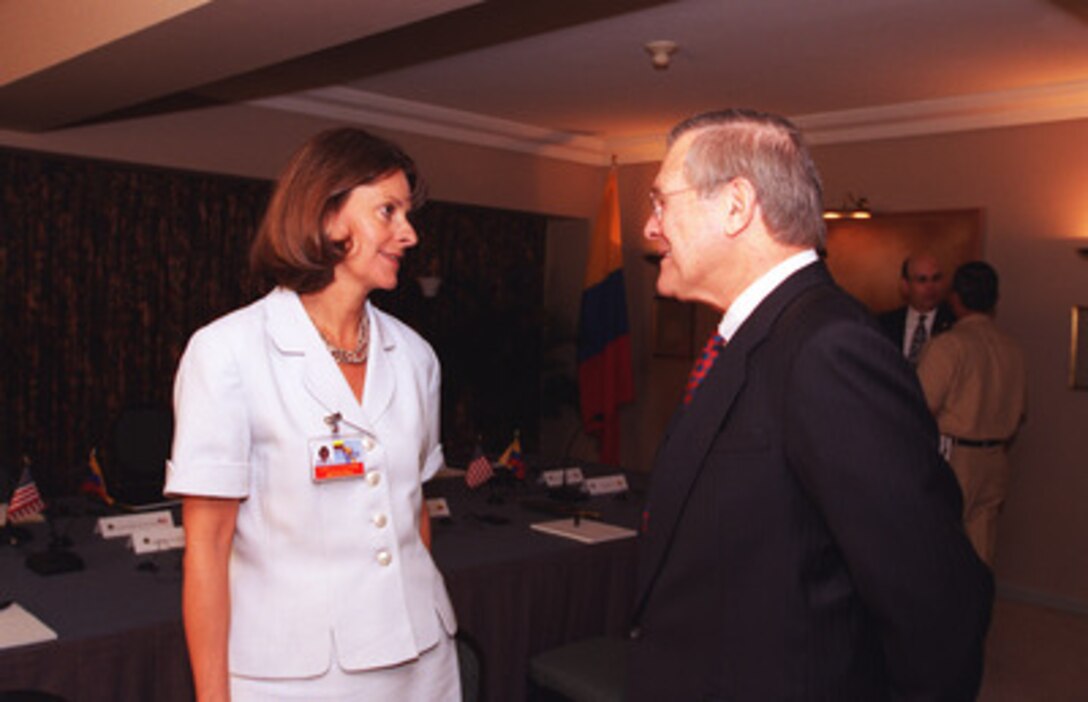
(485, 321)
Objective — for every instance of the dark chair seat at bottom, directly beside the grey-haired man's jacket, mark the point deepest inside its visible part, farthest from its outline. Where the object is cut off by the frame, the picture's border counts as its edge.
(588, 671)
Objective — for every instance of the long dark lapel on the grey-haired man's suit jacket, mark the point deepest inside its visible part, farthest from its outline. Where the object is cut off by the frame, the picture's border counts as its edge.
(695, 427)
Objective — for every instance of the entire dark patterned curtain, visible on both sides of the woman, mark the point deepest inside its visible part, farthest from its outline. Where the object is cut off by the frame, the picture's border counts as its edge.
(109, 268)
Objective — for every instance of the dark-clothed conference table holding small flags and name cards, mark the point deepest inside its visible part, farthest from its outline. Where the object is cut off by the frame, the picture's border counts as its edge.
(516, 593)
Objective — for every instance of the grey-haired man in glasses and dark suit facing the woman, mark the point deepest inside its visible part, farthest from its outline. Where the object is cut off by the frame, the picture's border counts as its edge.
(802, 536)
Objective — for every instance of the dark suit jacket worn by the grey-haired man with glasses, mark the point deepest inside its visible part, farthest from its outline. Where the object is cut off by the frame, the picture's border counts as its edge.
(803, 537)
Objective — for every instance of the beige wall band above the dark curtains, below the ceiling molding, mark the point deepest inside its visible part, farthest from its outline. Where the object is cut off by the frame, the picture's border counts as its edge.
(254, 142)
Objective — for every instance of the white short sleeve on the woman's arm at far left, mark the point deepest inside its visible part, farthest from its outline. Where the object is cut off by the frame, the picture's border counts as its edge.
(211, 455)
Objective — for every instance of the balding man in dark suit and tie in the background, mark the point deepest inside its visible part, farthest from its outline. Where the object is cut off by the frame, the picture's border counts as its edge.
(926, 314)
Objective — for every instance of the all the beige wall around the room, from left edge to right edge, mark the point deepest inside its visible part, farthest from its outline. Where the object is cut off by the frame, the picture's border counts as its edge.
(1032, 183)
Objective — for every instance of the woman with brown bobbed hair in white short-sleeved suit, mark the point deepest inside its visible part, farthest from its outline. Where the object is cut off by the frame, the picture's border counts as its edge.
(306, 425)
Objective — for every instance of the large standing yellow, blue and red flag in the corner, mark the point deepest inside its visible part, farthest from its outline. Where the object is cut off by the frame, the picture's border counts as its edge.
(604, 343)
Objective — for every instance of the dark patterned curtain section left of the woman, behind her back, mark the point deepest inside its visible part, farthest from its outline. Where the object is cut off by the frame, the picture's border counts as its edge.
(107, 270)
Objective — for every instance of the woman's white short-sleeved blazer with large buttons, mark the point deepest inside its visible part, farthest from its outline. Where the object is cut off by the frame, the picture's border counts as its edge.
(313, 562)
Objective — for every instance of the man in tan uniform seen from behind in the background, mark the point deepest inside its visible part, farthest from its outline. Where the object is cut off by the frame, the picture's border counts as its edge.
(976, 387)
